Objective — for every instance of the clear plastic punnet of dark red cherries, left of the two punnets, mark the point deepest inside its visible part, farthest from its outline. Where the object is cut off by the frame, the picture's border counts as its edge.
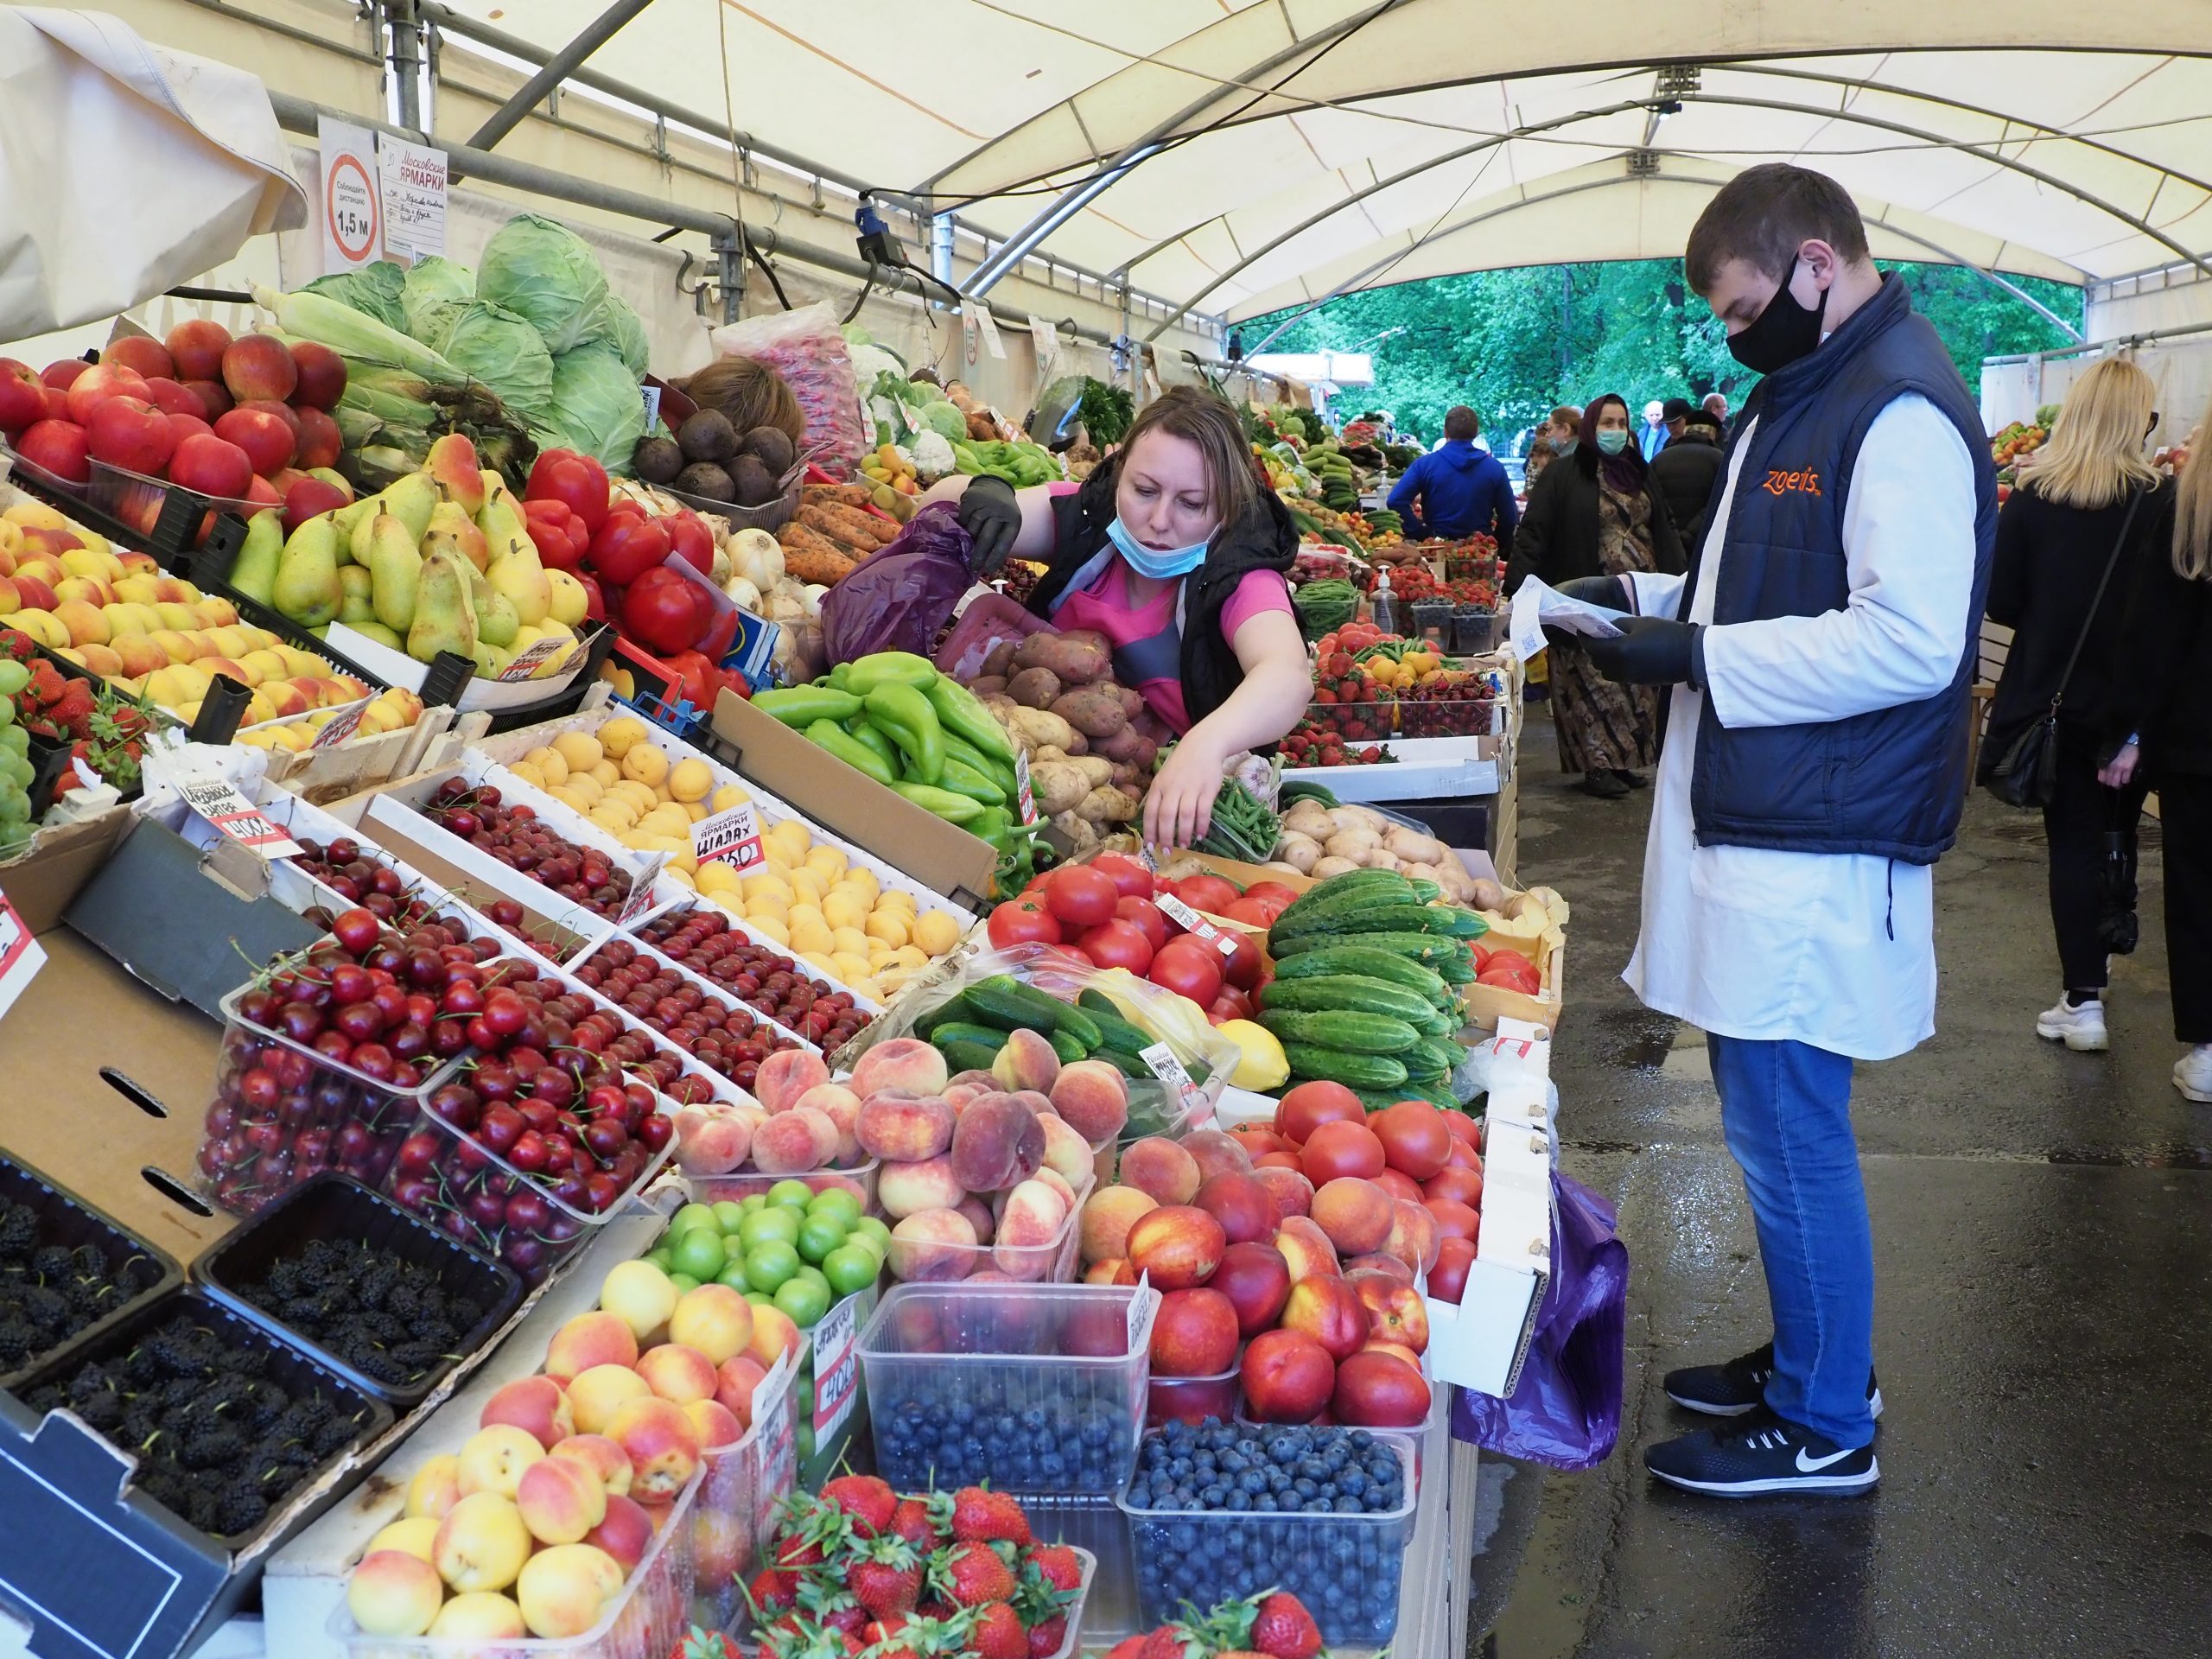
(317, 1114)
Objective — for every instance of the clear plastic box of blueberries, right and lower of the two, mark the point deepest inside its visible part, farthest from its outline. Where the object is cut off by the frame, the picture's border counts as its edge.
(1342, 1565)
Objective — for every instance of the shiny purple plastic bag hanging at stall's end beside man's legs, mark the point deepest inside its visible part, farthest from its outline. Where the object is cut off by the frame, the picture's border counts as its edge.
(1567, 1406)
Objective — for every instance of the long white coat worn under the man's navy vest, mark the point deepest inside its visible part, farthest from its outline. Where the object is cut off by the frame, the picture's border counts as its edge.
(1833, 950)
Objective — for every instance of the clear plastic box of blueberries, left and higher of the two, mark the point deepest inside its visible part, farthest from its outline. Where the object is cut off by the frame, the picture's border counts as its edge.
(1030, 1388)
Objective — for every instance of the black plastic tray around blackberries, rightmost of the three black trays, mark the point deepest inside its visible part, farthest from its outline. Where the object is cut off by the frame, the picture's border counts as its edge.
(342, 1211)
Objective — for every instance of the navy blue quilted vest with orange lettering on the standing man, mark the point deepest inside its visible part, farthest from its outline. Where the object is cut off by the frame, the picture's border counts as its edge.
(1890, 782)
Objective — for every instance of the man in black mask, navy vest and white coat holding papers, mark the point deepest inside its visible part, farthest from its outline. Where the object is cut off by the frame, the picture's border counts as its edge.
(1822, 649)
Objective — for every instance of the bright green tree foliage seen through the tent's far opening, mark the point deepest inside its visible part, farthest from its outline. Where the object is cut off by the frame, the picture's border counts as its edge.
(1516, 342)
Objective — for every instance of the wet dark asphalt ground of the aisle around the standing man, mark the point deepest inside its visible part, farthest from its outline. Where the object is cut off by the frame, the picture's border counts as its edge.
(2043, 1233)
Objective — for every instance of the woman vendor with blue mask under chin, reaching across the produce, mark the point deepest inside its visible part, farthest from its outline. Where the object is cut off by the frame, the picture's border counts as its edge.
(1178, 554)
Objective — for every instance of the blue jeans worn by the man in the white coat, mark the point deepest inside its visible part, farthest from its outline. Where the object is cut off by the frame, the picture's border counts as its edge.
(1786, 1114)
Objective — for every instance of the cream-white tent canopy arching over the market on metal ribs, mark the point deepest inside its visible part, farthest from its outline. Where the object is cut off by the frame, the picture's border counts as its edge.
(1240, 156)
